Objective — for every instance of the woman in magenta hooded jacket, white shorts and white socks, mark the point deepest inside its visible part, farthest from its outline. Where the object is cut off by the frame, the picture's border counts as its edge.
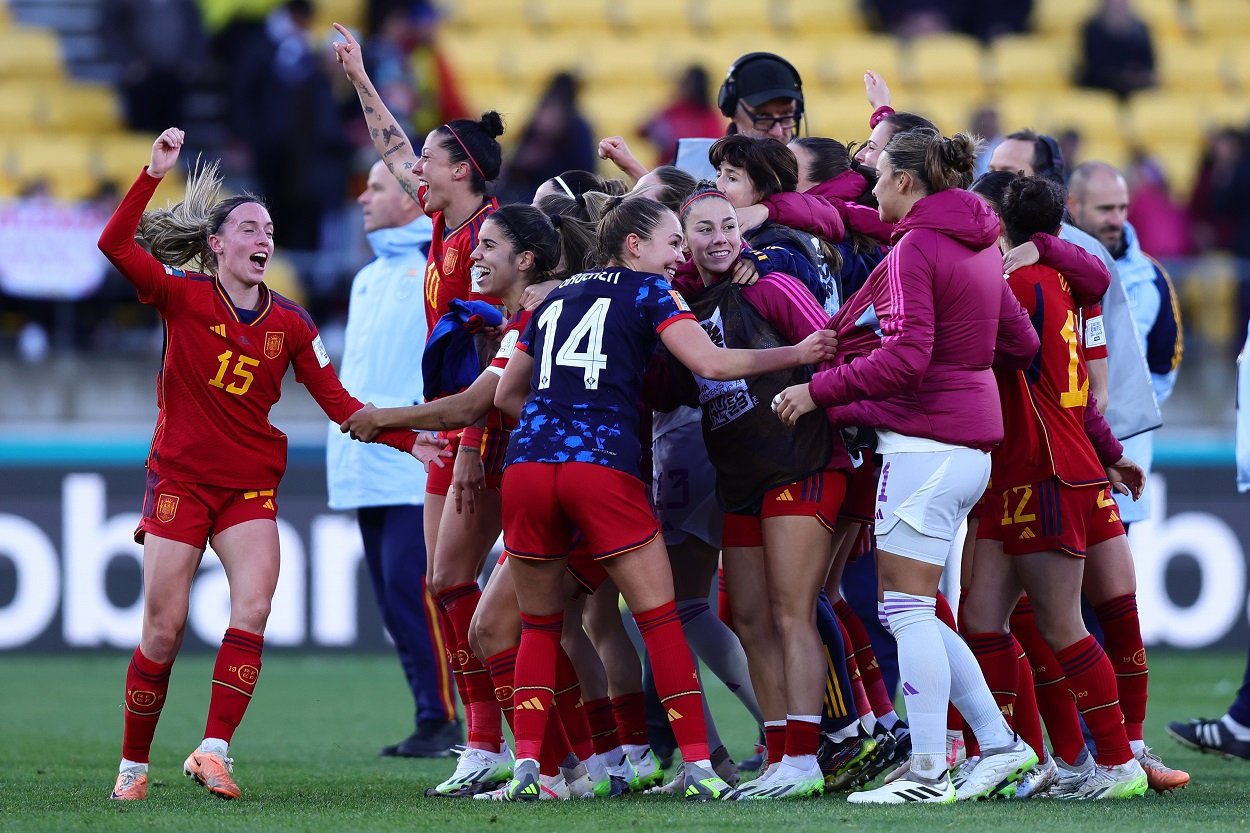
(944, 316)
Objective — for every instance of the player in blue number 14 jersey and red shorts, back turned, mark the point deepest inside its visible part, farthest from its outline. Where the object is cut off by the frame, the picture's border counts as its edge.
(573, 463)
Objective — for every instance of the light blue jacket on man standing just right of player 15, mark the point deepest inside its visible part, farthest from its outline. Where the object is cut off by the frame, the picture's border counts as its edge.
(382, 363)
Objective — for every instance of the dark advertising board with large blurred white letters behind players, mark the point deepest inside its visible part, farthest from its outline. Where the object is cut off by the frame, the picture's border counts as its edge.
(71, 571)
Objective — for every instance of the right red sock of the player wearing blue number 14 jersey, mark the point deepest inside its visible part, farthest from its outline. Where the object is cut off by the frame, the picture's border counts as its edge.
(676, 679)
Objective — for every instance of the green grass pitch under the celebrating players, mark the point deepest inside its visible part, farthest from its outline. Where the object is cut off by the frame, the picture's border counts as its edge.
(307, 761)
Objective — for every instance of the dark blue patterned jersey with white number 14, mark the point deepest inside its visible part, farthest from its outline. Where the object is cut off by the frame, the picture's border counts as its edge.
(591, 342)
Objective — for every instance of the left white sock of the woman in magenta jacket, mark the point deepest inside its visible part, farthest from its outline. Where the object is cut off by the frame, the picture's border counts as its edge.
(926, 675)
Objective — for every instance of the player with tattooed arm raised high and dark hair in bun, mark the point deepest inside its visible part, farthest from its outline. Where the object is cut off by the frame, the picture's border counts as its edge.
(449, 179)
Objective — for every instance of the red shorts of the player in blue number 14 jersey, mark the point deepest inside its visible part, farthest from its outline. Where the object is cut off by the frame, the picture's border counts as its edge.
(546, 503)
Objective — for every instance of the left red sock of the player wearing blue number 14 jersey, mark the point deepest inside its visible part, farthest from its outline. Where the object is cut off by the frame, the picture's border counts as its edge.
(536, 681)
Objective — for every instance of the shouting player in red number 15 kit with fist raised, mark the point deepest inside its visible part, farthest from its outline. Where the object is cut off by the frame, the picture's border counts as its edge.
(216, 461)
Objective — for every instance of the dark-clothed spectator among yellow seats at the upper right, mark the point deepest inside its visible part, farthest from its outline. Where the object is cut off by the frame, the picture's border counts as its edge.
(1117, 51)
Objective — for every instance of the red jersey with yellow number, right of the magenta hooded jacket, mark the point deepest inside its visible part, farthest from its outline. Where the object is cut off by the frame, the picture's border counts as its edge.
(1044, 407)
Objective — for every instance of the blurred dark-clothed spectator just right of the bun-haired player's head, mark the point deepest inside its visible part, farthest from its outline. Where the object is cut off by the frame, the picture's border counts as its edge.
(557, 139)
